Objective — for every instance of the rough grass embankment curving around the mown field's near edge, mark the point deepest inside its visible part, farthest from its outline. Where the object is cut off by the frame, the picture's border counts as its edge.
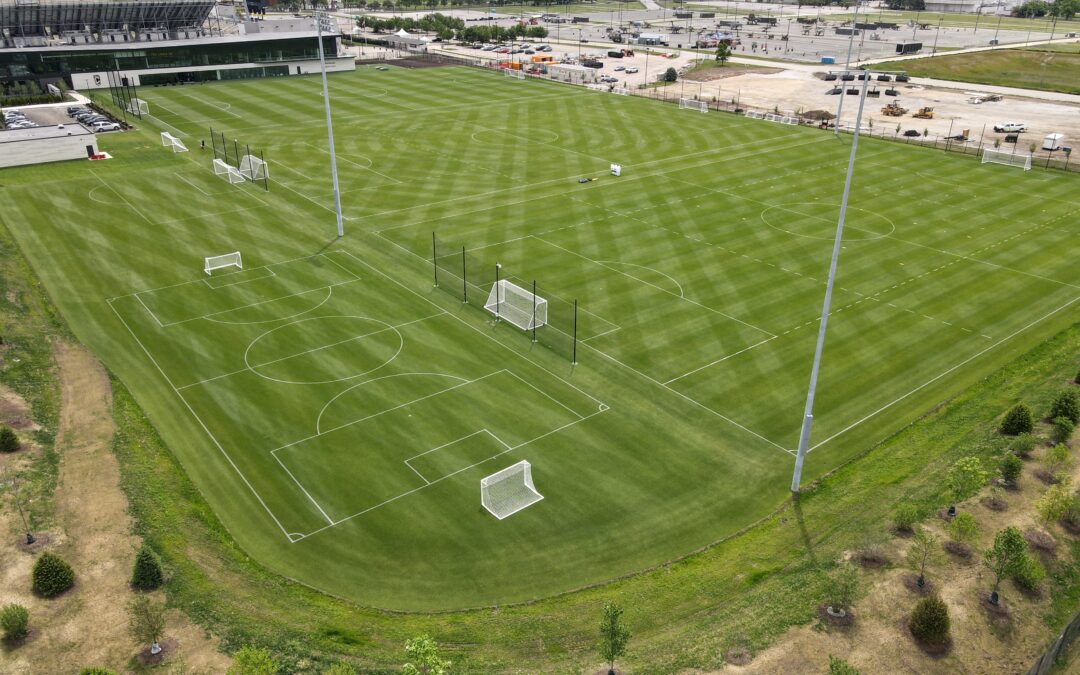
(765, 579)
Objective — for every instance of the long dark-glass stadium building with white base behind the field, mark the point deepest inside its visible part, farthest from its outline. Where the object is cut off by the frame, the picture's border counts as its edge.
(154, 43)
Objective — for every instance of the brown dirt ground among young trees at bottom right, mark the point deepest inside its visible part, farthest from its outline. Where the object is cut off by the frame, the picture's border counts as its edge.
(879, 642)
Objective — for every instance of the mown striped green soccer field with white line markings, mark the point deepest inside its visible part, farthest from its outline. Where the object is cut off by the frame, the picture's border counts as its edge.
(339, 411)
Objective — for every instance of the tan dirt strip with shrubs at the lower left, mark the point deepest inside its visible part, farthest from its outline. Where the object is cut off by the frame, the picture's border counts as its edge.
(88, 626)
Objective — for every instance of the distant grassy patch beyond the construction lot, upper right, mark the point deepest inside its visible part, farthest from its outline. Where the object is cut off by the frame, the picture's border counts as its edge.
(1039, 70)
